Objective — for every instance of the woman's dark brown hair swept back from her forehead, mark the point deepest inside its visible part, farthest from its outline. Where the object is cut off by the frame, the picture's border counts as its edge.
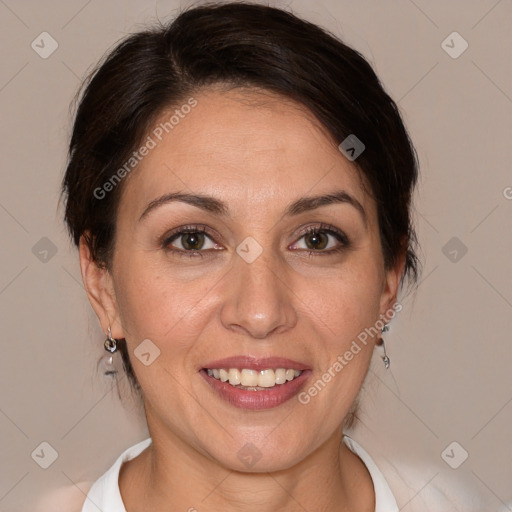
(240, 45)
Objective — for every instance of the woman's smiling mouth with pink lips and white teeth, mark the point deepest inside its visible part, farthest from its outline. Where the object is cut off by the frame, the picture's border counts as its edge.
(255, 384)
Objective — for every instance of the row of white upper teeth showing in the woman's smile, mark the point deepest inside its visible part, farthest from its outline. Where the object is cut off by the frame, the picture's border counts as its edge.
(252, 379)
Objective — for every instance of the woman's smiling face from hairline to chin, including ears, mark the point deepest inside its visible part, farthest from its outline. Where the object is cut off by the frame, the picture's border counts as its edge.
(245, 234)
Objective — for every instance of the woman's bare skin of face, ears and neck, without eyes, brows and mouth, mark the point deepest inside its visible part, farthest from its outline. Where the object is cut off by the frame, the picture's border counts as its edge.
(257, 153)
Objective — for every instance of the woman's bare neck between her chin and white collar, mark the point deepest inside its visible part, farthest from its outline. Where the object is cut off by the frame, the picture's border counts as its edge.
(171, 475)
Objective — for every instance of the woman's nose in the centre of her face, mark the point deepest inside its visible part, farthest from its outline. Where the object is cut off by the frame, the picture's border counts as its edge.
(259, 301)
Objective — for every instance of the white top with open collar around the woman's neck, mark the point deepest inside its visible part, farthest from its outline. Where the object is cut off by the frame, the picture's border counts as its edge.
(105, 494)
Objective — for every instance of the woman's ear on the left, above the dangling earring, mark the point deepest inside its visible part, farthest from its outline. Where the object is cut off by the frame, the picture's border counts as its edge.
(100, 291)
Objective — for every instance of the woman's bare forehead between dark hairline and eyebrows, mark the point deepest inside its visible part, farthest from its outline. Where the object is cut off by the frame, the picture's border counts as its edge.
(246, 144)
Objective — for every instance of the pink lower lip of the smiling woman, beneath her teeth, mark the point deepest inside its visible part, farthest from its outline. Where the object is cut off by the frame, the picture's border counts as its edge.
(257, 400)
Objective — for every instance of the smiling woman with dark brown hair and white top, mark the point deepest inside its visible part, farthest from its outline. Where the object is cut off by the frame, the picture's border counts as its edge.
(239, 186)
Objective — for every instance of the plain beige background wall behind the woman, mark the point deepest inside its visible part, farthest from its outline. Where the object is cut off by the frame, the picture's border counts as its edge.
(450, 376)
